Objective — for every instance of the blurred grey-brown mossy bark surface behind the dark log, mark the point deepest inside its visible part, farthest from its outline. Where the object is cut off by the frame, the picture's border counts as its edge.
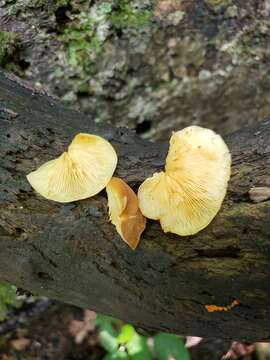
(151, 65)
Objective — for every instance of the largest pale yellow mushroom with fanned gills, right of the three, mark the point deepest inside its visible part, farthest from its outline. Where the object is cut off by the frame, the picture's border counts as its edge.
(189, 193)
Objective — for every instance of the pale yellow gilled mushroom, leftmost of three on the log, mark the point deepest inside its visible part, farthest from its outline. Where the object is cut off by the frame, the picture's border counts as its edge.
(81, 172)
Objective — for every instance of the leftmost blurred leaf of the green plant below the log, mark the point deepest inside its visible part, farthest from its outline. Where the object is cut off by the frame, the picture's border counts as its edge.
(107, 334)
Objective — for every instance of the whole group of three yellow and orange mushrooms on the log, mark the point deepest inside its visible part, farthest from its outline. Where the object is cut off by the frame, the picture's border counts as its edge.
(185, 197)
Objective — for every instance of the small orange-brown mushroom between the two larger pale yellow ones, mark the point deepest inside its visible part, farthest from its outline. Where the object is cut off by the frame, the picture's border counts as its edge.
(124, 212)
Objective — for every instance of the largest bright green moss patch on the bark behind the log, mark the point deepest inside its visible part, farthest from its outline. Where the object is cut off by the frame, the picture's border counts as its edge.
(84, 35)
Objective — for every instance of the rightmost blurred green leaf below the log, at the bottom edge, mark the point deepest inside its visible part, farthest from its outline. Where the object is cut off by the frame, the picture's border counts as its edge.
(168, 346)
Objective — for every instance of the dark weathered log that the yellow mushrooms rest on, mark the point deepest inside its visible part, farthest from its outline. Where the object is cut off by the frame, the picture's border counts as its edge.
(72, 253)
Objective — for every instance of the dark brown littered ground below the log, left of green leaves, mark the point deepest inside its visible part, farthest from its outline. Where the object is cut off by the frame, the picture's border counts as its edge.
(51, 335)
